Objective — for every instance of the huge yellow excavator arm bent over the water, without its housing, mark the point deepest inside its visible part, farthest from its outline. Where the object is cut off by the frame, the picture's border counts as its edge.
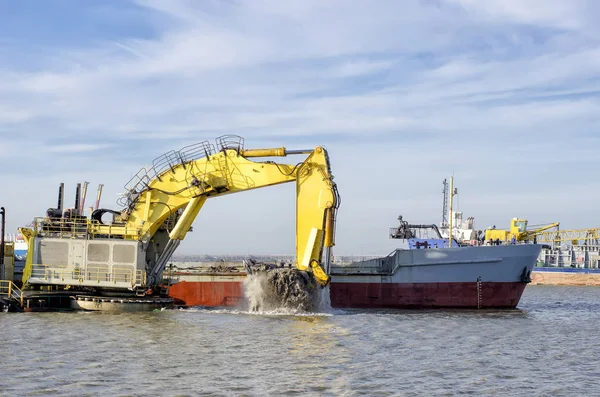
(166, 198)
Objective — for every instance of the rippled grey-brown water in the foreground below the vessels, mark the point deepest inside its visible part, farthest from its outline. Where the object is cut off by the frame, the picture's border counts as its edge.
(548, 347)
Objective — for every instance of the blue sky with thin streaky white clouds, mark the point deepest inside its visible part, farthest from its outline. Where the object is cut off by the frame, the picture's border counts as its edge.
(502, 94)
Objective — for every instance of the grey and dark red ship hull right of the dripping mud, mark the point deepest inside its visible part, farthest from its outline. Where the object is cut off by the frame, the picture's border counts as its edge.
(463, 277)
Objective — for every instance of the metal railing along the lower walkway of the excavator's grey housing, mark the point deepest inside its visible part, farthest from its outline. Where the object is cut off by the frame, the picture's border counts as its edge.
(91, 275)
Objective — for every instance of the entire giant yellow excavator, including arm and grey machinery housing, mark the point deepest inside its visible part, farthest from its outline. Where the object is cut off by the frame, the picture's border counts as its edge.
(130, 251)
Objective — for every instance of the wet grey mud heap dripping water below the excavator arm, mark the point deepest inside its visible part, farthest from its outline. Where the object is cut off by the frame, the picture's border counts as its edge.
(271, 288)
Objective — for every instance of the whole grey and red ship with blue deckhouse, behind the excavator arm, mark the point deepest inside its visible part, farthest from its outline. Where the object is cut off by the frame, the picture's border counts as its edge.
(432, 273)
